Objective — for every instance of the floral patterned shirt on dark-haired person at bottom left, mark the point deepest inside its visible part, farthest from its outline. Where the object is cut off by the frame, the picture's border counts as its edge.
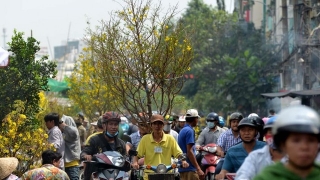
(45, 172)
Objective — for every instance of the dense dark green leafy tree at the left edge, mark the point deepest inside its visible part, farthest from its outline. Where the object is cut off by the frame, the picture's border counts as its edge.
(25, 76)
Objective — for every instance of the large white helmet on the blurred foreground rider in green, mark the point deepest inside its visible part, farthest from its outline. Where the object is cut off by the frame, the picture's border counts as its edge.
(297, 118)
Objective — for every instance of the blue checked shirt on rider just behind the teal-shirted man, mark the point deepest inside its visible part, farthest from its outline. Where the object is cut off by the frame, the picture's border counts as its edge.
(226, 140)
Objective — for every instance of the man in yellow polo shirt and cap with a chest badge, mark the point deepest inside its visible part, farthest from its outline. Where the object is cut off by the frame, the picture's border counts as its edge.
(158, 147)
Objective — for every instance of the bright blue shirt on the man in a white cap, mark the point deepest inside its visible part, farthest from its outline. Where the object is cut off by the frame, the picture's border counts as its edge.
(186, 136)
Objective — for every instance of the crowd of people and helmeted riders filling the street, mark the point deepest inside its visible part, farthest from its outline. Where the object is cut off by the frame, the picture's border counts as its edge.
(281, 146)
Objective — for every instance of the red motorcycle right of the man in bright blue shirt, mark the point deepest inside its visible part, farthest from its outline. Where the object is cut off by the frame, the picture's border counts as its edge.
(209, 160)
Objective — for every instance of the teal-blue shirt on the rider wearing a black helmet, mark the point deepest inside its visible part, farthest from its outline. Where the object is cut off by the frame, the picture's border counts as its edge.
(236, 156)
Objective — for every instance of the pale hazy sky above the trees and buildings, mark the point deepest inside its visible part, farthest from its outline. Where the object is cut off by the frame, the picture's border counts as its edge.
(50, 20)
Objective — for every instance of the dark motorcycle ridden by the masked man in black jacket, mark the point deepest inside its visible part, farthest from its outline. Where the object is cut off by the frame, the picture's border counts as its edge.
(109, 165)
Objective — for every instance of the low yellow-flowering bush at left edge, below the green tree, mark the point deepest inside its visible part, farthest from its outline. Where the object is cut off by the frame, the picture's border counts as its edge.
(22, 138)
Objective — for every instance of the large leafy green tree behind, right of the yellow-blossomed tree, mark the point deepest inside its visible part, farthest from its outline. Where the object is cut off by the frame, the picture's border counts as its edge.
(222, 39)
